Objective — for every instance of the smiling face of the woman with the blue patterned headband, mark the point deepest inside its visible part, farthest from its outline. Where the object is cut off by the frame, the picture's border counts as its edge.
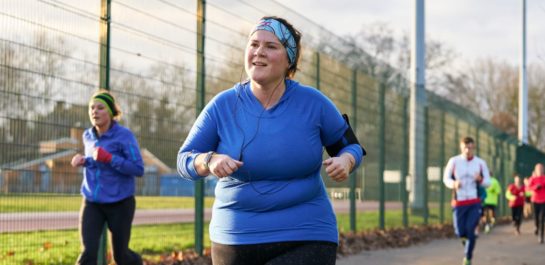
(266, 60)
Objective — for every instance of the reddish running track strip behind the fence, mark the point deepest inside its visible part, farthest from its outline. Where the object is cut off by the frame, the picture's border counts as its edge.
(29, 221)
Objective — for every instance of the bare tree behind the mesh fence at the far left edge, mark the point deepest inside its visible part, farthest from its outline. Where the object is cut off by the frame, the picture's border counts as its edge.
(29, 94)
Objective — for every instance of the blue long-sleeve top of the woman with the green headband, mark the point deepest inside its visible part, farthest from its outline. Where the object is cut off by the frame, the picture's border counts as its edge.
(114, 181)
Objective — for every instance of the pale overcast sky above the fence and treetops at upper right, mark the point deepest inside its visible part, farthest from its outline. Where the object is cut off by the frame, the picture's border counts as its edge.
(473, 28)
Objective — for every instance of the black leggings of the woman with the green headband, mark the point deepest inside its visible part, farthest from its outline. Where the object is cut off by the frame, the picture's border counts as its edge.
(118, 216)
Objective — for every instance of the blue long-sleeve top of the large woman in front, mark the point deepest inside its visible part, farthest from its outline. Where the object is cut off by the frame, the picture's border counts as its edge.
(278, 194)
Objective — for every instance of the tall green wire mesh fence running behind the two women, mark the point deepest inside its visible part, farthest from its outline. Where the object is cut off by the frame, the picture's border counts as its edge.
(51, 62)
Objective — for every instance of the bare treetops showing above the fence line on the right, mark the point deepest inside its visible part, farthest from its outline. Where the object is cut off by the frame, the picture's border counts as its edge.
(487, 87)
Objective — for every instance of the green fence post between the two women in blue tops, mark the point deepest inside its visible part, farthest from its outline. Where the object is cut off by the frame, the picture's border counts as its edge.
(201, 95)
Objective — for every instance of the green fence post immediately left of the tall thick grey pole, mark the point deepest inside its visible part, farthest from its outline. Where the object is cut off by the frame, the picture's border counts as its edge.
(405, 163)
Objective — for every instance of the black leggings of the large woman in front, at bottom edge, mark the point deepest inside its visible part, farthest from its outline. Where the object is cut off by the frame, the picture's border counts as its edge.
(281, 253)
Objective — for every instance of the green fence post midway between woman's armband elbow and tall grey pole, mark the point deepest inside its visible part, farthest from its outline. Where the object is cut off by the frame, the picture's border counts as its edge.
(382, 151)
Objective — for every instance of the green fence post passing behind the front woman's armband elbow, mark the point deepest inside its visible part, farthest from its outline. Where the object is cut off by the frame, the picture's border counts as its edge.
(354, 125)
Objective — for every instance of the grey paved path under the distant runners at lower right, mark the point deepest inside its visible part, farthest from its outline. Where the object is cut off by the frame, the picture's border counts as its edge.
(500, 247)
